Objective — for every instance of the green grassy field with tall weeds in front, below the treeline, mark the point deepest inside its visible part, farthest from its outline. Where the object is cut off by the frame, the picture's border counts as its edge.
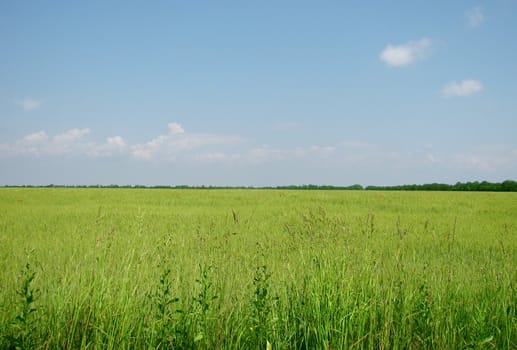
(257, 269)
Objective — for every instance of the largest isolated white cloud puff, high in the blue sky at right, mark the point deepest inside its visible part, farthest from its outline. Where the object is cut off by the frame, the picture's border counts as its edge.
(404, 54)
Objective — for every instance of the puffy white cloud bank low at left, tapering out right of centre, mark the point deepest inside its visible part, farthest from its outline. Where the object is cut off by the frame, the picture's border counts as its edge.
(177, 145)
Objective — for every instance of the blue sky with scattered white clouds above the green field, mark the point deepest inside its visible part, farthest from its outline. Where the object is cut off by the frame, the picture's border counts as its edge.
(257, 93)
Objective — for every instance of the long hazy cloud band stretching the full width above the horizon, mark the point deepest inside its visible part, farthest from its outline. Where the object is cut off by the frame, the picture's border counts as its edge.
(178, 146)
